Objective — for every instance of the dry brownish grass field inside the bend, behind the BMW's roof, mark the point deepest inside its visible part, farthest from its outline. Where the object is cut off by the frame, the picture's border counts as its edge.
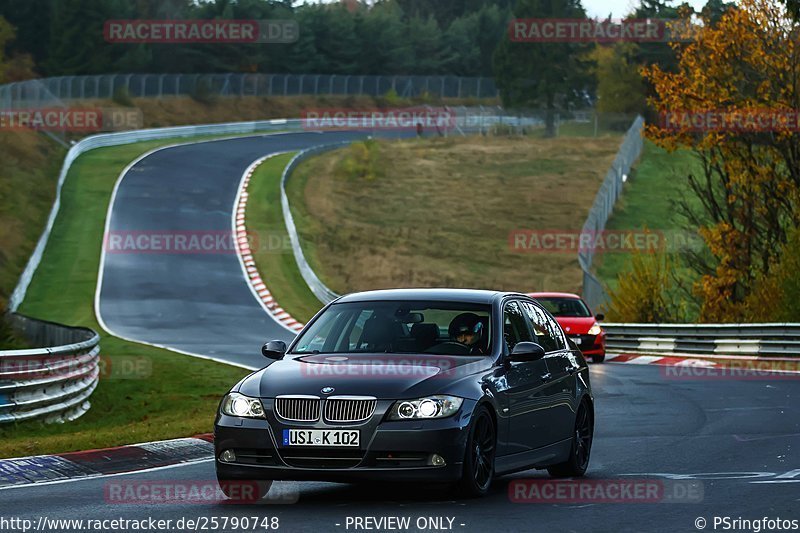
(439, 212)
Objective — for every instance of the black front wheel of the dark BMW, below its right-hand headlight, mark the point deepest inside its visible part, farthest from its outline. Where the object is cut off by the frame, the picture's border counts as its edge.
(479, 456)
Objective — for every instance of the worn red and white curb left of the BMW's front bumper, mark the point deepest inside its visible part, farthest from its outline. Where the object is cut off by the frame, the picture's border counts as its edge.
(58, 468)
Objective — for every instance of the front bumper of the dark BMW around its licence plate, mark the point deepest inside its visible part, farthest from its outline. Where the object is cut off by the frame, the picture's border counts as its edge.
(397, 450)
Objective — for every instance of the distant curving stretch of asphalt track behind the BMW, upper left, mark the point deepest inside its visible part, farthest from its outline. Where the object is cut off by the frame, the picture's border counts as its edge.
(193, 302)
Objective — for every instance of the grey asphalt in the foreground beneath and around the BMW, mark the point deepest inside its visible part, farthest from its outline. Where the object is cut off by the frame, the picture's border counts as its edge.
(734, 437)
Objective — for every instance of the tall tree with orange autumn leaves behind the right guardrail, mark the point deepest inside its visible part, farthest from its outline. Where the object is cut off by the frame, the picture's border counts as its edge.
(745, 66)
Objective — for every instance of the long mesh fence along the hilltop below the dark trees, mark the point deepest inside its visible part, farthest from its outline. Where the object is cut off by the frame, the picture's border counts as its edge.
(36, 93)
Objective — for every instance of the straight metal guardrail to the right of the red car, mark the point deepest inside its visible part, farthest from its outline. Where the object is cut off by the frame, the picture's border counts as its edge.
(719, 339)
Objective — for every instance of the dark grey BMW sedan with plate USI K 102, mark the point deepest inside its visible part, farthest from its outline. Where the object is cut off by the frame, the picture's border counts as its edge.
(439, 385)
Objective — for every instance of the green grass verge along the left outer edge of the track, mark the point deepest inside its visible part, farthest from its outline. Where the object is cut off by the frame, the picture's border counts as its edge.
(175, 395)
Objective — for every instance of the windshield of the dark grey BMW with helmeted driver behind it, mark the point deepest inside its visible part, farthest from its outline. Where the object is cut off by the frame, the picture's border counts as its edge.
(442, 328)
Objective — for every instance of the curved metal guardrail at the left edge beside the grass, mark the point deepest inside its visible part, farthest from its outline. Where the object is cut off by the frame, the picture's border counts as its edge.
(52, 383)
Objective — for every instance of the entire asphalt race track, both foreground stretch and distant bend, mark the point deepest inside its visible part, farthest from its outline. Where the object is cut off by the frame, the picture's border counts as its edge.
(732, 443)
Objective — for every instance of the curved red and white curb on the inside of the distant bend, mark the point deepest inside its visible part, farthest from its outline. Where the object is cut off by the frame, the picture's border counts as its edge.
(257, 284)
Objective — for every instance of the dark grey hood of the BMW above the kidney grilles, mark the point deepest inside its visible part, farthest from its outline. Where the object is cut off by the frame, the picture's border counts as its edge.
(384, 376)
